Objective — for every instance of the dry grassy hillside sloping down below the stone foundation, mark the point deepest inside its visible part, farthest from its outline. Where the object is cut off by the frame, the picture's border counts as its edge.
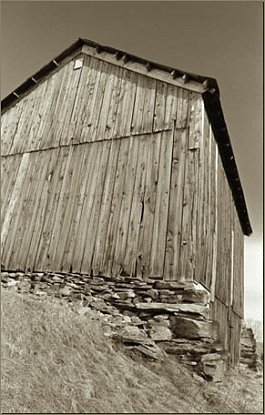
(56, 361)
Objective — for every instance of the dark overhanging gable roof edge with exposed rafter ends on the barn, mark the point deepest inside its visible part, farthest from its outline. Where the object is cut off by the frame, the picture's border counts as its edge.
(208, 87)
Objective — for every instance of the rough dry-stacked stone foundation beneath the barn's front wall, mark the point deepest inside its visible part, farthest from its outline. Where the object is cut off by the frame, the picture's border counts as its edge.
(151, 317)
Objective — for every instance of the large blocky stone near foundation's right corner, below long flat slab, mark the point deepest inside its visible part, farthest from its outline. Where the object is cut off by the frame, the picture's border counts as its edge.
(189, 328)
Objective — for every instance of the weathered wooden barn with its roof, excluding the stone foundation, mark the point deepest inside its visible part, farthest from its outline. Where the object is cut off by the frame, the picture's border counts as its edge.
(112, 164)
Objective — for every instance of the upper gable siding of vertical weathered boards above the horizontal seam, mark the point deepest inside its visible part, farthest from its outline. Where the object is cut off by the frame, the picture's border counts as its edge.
(98, 102)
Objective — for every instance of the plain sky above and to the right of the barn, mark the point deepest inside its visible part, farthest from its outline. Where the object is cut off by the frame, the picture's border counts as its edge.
(223, 40)
